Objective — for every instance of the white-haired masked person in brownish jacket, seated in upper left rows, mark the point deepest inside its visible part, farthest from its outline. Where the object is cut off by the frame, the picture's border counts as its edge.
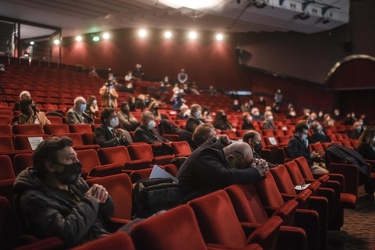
(77, 115)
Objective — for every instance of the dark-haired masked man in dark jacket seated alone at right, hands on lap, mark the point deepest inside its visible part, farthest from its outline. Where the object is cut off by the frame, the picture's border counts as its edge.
(299, 146)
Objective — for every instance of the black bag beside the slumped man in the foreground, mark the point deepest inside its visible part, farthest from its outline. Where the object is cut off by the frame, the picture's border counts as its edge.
(152, 195)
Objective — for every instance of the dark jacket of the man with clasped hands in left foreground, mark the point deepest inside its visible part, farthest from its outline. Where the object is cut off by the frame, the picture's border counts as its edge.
(70, 215)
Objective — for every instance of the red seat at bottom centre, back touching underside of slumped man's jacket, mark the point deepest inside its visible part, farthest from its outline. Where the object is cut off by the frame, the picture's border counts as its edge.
(221, 226)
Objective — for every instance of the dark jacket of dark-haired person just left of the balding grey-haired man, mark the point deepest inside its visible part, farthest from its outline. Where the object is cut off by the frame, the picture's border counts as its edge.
(106, 139)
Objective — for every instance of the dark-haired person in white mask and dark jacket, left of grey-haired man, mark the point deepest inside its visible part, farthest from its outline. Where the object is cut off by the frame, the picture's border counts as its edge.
(108, 135)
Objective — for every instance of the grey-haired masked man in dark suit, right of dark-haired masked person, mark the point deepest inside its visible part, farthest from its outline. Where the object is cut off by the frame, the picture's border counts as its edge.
(146, 133)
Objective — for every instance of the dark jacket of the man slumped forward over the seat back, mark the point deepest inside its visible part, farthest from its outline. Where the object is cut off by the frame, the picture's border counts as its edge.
(205, 171)
